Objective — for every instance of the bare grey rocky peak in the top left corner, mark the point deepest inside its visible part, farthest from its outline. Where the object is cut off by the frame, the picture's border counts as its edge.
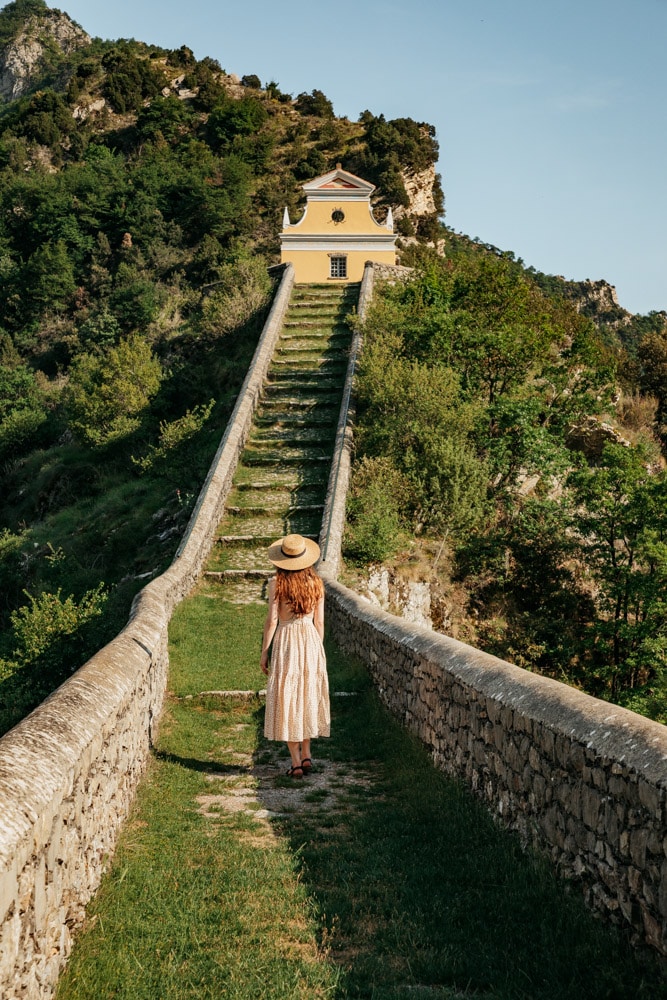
(22, 60)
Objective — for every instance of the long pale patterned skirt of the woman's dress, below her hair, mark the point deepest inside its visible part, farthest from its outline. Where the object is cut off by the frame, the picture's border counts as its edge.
(297, 689)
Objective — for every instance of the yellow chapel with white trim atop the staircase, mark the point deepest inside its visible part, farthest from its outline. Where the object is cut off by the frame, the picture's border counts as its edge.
(337, 234)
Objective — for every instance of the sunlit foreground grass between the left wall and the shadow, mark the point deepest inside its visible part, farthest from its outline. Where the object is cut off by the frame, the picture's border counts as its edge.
(194, 907)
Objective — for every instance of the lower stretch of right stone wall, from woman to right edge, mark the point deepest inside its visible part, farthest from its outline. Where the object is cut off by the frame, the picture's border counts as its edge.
(580, 778)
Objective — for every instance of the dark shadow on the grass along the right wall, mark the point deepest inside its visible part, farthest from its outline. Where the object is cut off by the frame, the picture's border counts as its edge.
(417, 891)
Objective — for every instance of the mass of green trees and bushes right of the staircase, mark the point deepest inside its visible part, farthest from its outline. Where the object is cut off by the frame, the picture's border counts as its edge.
(469, 383)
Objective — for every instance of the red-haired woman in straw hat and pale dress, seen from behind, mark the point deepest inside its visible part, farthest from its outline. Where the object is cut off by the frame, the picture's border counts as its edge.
(297, 690)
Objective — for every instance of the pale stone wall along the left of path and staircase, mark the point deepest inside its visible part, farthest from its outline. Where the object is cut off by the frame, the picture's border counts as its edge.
(69, 770)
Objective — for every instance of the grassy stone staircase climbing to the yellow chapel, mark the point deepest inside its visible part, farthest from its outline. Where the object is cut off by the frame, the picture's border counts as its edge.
(280, 483)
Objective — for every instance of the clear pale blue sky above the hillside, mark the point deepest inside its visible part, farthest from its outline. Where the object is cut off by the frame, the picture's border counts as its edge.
(551, 118)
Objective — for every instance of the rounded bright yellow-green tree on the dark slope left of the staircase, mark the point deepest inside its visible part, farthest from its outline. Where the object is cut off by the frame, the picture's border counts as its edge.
(108, 392)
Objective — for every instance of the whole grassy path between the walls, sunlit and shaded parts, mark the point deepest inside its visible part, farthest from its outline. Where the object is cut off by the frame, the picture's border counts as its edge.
(377, 877)
